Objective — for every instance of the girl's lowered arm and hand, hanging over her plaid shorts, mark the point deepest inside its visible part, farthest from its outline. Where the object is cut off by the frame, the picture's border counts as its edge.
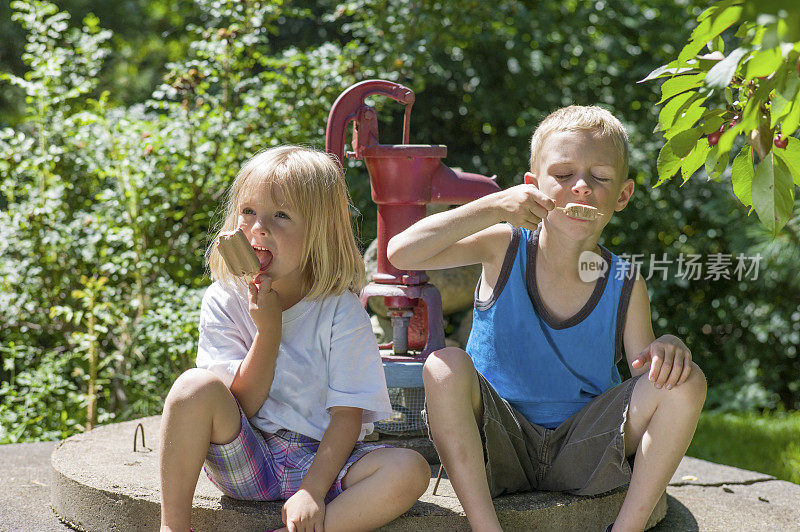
(307, 506)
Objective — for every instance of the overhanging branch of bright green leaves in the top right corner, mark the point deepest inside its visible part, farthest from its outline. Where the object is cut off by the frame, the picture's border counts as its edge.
(753, 92)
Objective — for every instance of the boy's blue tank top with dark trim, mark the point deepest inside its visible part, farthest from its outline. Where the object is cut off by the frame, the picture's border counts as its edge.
(549, 369)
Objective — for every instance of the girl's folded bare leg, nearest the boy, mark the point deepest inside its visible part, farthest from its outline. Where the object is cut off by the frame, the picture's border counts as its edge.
(379, 487)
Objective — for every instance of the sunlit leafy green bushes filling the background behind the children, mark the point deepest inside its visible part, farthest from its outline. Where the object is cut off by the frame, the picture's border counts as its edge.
(107, 206)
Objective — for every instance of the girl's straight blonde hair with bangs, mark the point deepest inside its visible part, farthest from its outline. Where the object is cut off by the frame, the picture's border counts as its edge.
(312, 184)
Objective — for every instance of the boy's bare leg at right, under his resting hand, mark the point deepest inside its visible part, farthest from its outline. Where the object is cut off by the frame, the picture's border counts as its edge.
(659, 428)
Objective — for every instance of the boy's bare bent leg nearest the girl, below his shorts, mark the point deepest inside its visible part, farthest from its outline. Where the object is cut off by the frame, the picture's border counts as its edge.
(453, 399)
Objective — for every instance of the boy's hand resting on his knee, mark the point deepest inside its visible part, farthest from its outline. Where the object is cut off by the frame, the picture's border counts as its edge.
(670, 361)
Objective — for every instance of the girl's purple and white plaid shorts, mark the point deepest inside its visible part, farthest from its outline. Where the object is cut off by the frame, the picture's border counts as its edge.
(259, 466)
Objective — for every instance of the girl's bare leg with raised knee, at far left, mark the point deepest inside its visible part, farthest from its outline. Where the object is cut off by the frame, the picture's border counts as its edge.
(199, 409)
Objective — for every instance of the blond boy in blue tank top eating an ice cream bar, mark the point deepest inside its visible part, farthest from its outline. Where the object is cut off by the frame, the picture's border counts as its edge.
(537, 403)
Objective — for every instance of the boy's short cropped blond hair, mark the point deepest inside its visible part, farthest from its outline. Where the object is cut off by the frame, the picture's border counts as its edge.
(581, 118)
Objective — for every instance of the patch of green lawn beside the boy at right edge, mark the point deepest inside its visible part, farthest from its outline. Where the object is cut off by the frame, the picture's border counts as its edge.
(764, 442)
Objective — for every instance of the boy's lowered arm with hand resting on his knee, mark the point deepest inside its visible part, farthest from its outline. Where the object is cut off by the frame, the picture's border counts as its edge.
(667, 359)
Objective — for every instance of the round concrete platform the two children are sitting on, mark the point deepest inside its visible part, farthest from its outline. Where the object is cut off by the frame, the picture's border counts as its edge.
(100, 484)
